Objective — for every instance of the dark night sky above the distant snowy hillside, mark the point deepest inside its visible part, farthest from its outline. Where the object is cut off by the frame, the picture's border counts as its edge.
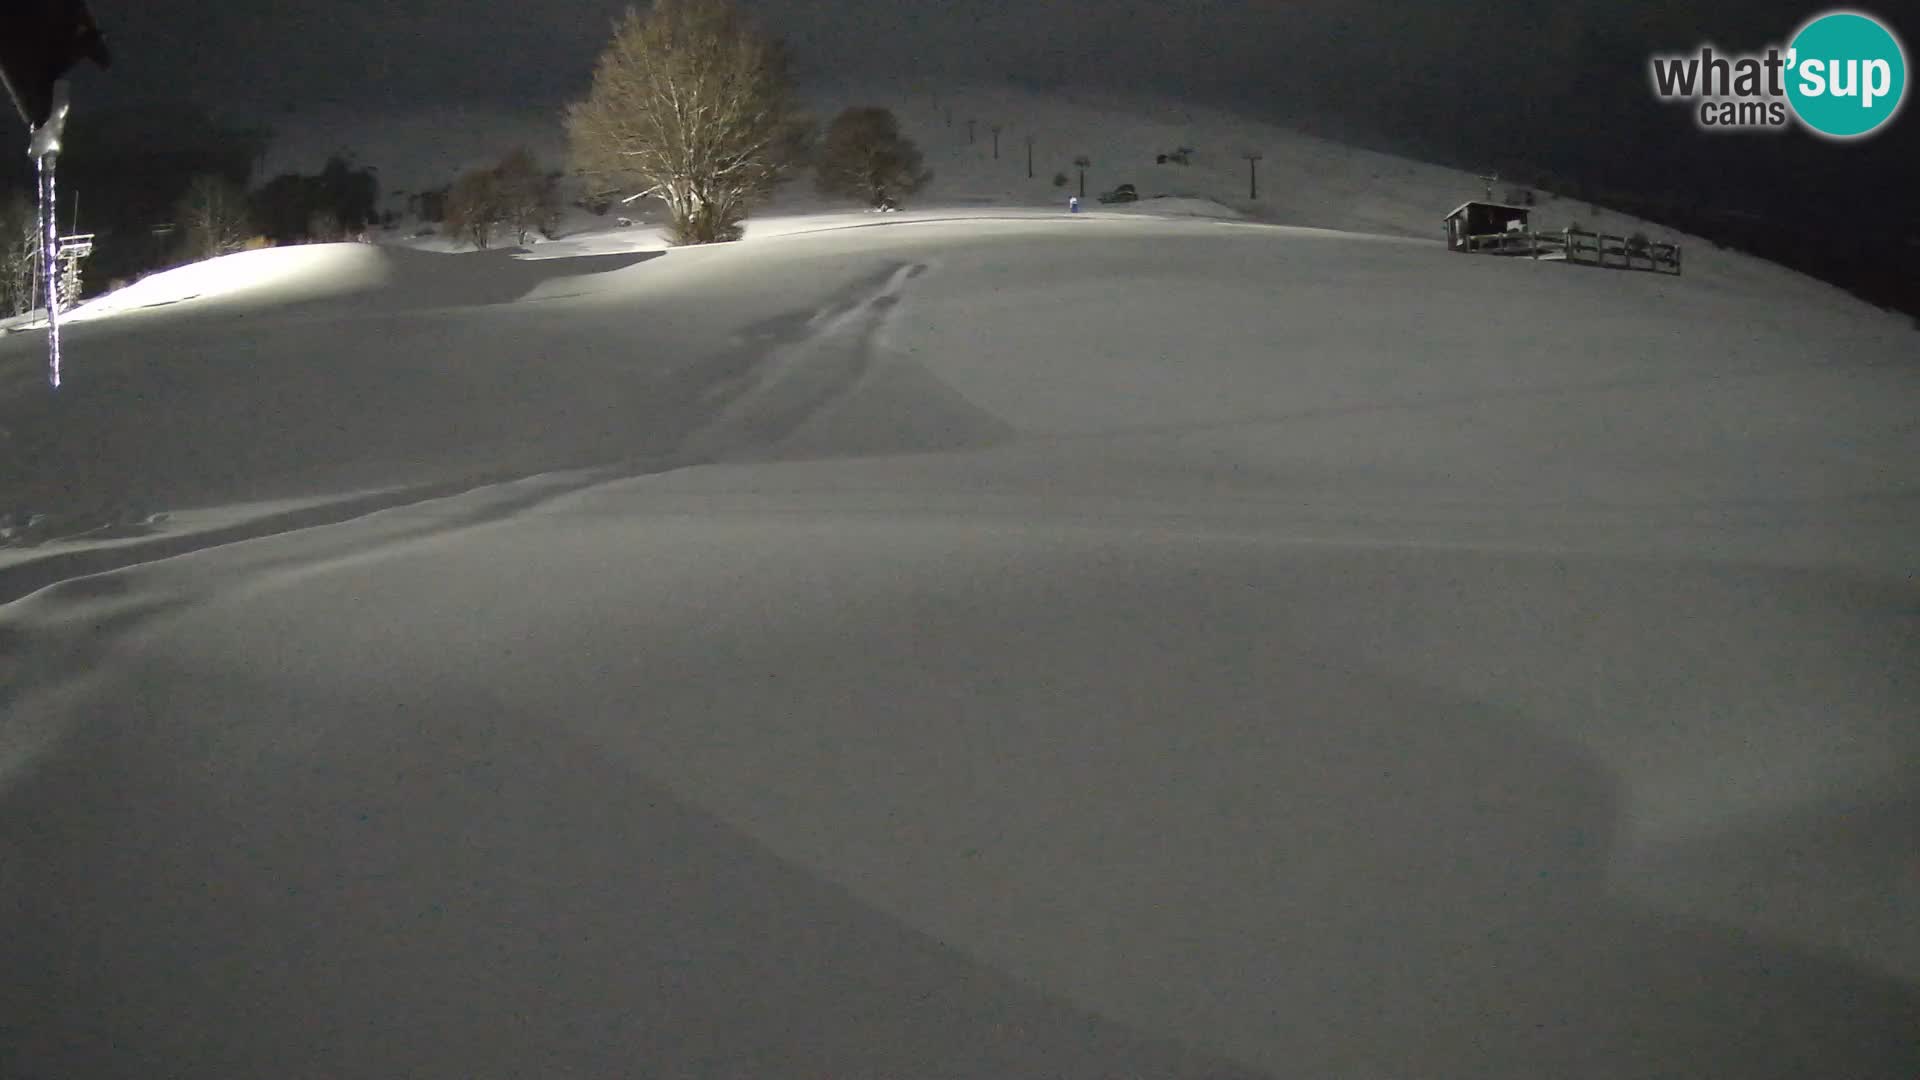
(1452, 82)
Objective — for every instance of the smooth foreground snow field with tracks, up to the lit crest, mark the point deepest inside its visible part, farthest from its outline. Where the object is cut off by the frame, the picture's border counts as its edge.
(967, 645)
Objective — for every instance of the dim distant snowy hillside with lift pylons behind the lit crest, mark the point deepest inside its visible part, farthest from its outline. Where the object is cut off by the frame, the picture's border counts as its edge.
(1303, 180)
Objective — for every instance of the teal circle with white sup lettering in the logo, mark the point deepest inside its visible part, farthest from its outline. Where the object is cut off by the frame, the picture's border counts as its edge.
(1846, 76)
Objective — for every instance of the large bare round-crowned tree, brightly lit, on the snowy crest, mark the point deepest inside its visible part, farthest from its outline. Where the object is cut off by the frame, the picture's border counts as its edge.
(694, 107)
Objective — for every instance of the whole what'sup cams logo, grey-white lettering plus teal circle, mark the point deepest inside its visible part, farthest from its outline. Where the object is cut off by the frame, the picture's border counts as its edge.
(1842, 76)
